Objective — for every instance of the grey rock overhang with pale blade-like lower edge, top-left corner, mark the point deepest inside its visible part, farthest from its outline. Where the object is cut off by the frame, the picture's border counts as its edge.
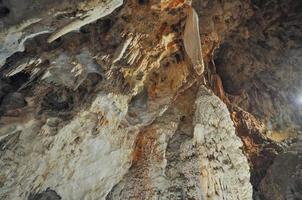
(19, 25)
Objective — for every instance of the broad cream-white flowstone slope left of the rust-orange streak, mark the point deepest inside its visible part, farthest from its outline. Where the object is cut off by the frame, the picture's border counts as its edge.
(81, 160)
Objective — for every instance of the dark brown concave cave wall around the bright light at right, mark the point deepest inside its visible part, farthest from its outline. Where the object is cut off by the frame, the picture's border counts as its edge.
(260, 65)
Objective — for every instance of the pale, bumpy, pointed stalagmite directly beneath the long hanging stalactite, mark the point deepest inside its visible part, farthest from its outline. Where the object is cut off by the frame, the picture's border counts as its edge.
(224, 170)
